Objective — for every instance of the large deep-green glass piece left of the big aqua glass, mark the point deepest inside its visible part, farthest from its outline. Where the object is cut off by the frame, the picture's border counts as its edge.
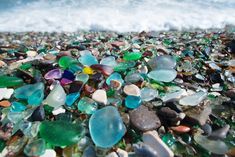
(61, 133)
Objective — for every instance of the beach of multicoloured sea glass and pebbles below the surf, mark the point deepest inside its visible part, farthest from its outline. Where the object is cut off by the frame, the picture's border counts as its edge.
(110, 94)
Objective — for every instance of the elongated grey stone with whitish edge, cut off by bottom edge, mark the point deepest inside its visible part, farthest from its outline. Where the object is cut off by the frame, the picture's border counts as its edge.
(152, 139)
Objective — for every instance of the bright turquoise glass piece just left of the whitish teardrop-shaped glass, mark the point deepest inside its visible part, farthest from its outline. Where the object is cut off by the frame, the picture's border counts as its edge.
(36, 98)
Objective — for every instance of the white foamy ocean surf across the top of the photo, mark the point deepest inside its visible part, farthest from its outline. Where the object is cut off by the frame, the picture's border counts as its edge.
(114, 15)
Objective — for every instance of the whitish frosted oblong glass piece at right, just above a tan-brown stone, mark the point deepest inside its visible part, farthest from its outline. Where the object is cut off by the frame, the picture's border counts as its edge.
(194, 99)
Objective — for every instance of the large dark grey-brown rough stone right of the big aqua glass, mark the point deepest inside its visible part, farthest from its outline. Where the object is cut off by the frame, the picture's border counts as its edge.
(143, 119)
